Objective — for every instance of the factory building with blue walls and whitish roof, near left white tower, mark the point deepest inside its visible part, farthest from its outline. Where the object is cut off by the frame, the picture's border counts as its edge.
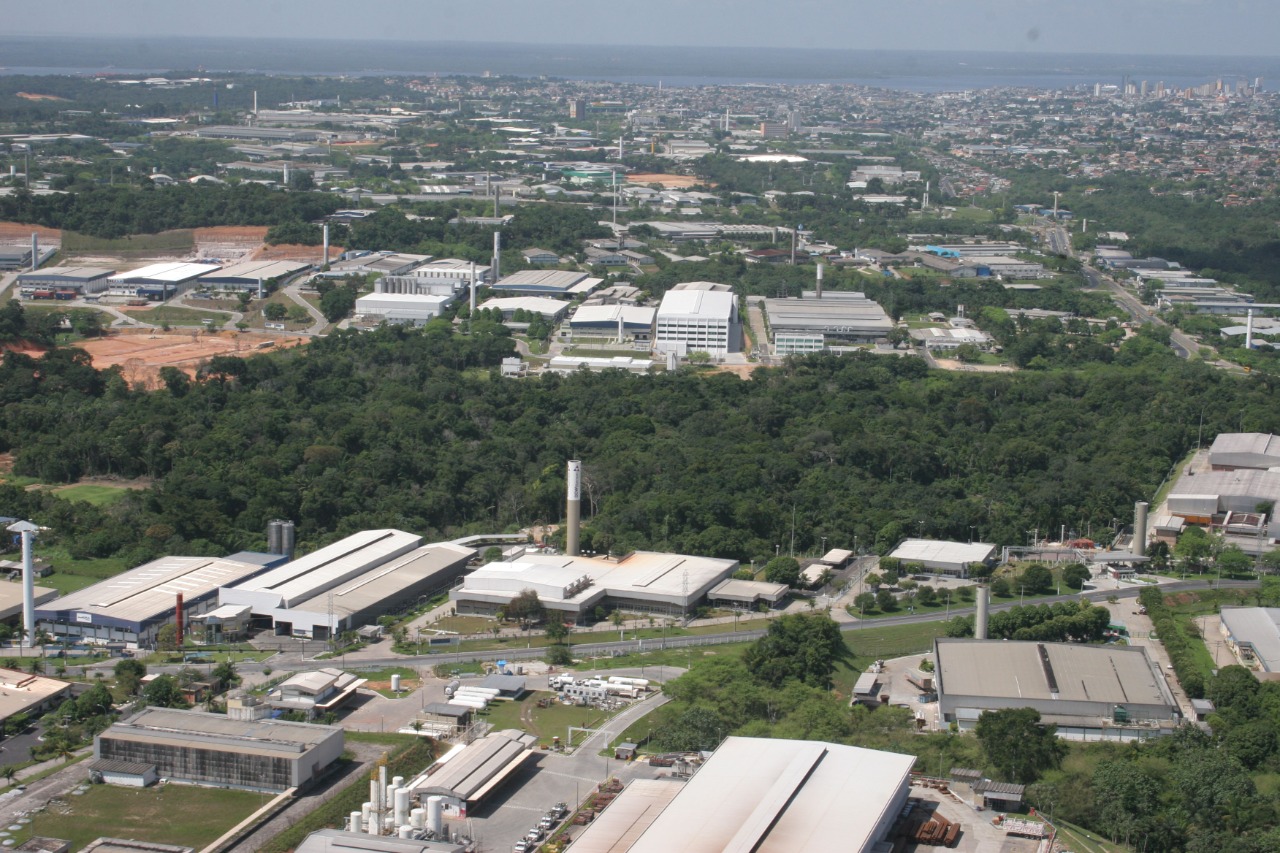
(134, 606)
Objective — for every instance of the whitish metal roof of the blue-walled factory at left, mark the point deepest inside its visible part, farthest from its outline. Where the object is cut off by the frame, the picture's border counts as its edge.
(150, 591)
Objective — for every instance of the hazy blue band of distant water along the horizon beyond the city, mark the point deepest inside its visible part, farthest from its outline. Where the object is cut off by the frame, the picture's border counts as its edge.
(648, 66)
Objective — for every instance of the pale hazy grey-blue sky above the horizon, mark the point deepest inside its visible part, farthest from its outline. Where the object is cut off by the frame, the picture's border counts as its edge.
(1224, 28)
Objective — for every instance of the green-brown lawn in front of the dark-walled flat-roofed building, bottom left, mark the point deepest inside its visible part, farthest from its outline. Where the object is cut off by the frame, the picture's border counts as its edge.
(168, 815)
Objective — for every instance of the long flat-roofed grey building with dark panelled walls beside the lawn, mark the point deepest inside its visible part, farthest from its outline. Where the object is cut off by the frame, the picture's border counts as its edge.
(216, 750)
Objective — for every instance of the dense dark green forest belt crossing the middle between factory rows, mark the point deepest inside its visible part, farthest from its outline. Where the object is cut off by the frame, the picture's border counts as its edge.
(414, 430)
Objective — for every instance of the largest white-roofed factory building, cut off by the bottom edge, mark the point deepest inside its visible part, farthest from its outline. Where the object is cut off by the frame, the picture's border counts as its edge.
(765, 796)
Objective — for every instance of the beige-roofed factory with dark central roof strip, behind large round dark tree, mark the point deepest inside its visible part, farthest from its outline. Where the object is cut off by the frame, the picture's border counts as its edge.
(1090, 692)
